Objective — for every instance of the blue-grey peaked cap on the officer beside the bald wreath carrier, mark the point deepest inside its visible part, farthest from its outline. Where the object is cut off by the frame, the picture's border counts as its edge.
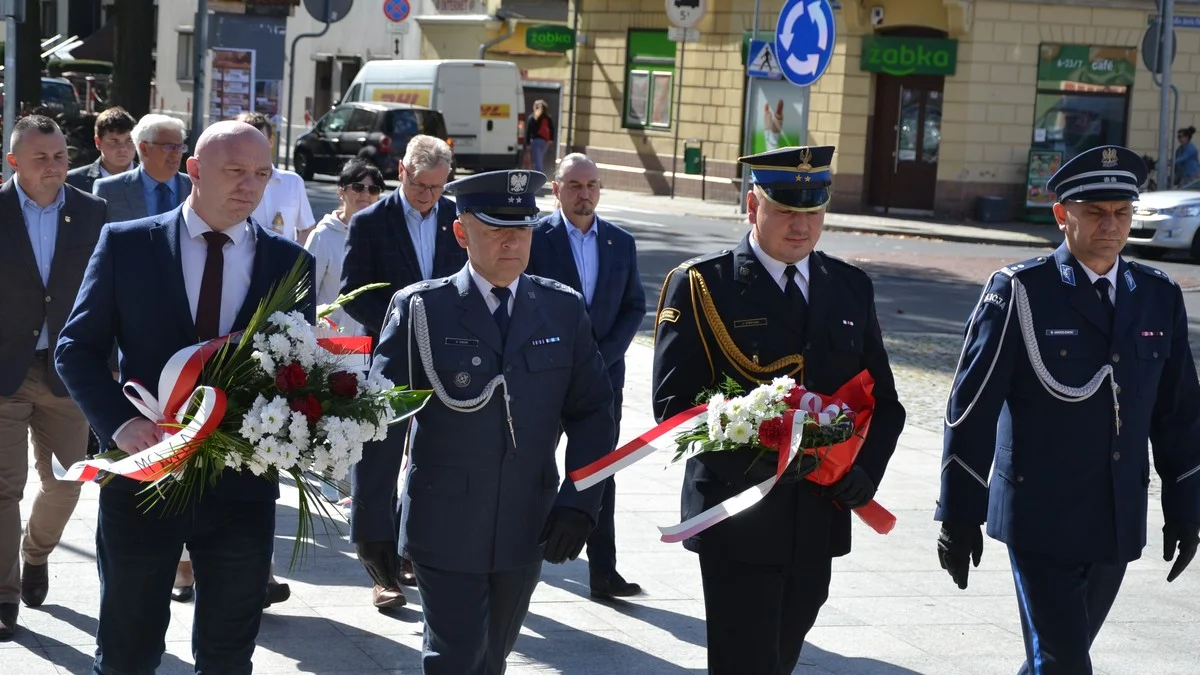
(500, 199)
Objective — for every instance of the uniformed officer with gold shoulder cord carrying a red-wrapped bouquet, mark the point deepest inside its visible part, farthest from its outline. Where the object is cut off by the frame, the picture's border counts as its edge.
(772, 307)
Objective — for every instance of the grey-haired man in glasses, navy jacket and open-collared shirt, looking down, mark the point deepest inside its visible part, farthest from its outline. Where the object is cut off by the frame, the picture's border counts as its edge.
(406, 238)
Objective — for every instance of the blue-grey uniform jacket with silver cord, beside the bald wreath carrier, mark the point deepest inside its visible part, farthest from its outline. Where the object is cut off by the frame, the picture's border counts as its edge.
(473, 503)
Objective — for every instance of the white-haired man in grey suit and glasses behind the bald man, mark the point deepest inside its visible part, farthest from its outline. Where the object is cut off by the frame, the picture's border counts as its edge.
(157, 187)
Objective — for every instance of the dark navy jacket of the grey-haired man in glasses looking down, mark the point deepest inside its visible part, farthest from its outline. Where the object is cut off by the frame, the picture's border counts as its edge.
(379, 248)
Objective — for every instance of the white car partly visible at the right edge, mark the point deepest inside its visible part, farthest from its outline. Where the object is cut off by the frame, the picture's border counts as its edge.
(1165, 222)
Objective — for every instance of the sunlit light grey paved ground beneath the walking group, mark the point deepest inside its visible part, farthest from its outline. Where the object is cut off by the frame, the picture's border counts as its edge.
(892, 611)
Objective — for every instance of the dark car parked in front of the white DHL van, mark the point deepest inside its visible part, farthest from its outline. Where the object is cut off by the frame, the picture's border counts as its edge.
(379, 133)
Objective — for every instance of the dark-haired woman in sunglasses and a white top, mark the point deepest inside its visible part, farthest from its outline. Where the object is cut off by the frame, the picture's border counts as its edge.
(359, 186)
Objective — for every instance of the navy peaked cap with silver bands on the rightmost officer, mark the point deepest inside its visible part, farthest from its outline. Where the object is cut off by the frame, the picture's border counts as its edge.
(1109, 174)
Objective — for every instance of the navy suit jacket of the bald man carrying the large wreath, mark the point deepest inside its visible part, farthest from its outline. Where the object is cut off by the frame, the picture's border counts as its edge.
(134, 295)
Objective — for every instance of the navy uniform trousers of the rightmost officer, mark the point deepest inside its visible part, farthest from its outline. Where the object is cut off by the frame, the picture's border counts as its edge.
(1063, 606)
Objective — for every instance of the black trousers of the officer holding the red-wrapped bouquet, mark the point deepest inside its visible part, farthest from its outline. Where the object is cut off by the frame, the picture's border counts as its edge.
(758, 616)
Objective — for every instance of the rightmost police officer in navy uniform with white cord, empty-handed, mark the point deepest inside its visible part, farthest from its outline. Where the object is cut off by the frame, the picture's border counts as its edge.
(1071, 365)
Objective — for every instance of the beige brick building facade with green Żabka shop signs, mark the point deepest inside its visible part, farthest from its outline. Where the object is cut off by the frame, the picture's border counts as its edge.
(932, 104)
